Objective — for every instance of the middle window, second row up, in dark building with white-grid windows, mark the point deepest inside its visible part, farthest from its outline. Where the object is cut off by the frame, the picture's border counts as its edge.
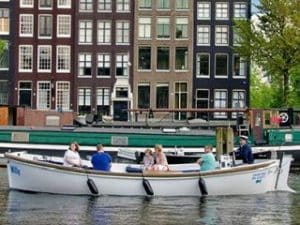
(44, 58)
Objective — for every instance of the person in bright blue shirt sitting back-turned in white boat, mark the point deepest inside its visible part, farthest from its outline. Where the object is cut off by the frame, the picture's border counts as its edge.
(101, 160)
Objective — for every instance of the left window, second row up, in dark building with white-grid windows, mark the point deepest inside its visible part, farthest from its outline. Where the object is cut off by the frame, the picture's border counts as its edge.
(25, 58)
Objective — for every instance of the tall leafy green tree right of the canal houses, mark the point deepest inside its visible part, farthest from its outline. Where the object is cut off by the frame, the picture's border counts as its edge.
(273, 43)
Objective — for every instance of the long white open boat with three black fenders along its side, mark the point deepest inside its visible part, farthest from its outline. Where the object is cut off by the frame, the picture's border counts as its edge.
(37, 173)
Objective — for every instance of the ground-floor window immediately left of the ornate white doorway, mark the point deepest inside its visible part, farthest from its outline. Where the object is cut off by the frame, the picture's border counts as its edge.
(103, 101)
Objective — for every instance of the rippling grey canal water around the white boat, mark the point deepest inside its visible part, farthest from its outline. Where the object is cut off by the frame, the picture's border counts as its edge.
(45, 209)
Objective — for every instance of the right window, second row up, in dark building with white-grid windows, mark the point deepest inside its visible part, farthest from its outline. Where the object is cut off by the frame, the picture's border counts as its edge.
(63, 59)
